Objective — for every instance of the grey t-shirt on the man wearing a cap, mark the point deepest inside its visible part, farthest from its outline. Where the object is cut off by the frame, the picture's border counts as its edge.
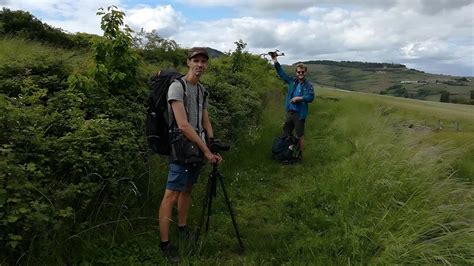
(176, 92)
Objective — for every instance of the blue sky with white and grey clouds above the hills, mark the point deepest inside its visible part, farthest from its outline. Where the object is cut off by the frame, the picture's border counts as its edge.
(435, 36)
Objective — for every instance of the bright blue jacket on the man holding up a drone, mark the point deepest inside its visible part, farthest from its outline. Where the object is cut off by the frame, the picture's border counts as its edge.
(307, 91)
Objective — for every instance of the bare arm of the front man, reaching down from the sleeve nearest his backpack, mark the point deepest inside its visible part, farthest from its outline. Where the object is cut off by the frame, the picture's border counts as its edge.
(189, 132)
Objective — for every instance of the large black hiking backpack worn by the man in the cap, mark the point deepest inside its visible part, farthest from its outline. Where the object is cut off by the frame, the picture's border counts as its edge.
(156, 124)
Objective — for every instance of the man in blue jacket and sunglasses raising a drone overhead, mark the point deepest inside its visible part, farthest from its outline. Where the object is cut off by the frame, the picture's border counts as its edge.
(300, 93)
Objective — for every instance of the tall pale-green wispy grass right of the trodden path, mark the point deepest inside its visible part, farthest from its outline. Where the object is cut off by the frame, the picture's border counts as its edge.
(393, 198)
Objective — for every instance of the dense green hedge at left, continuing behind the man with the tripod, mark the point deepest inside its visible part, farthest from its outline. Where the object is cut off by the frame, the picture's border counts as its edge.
(72, 140)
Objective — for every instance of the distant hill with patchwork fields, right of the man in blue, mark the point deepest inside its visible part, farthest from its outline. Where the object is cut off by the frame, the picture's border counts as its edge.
(390, 79)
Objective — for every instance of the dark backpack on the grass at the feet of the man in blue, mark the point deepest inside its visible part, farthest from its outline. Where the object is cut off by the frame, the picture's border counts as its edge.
(285, 149)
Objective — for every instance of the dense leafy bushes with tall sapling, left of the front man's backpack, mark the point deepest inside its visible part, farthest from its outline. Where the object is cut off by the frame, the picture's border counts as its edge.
(69, 144)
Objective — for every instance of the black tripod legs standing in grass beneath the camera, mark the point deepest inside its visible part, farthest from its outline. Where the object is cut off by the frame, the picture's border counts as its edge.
(210, 194)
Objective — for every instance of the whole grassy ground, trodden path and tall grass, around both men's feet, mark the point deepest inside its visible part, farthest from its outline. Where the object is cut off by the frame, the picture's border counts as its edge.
(379, 184)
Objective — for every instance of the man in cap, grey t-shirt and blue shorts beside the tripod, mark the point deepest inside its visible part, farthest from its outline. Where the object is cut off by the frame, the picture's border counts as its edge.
(190, 124)
